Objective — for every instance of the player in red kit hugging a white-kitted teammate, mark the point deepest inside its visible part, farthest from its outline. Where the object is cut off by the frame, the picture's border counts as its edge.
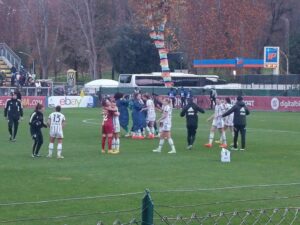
(107, 124)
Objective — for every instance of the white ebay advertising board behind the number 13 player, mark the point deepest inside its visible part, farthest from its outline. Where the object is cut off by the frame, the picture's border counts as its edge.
(71, 101)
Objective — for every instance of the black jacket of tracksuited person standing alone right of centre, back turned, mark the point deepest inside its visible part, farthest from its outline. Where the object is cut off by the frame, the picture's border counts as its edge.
(190, 111)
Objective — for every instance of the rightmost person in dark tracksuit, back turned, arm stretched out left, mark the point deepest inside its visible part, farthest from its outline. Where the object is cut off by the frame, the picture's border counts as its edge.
(239, 121)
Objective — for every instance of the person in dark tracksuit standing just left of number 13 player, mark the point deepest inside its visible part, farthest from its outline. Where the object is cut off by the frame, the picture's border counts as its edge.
(36, 123)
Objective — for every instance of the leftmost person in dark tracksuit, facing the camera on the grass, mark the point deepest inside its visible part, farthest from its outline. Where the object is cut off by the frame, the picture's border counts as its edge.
(13, 112)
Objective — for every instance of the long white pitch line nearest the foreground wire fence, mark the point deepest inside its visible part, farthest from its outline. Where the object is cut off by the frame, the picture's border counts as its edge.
(140, 193)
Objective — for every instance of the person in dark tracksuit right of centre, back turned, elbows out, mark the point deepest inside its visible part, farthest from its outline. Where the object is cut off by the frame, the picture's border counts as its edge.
(190, 111)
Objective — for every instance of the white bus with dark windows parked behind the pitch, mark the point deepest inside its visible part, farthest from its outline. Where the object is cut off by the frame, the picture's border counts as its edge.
(179, 80)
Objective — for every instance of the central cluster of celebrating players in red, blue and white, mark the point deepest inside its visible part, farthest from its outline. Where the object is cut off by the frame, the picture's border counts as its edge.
(115, 115)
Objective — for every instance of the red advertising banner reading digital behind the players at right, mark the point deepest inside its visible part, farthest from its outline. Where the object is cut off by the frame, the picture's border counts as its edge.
(267, 103)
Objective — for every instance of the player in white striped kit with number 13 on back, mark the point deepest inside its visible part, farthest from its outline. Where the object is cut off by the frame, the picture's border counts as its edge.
(56, 122)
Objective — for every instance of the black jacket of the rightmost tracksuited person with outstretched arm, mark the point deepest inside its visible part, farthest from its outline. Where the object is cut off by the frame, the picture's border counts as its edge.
(240, 112)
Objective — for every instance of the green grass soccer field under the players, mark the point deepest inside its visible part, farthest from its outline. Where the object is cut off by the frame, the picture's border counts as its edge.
(88, 186)
